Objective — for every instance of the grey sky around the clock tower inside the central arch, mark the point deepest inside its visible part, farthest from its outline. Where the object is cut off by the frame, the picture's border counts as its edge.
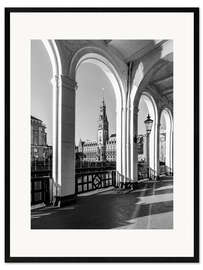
(91, 79)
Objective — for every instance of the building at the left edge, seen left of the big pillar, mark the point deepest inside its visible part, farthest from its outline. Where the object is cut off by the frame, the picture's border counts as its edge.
(40, 150)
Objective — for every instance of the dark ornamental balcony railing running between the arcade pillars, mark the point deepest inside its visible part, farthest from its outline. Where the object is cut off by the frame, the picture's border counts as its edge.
(89, 176)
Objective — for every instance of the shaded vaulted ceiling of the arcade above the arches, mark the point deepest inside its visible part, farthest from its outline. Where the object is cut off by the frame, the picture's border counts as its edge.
(131, 50)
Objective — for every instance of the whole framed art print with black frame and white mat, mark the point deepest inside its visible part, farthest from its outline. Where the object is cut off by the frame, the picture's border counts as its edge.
(102, 134)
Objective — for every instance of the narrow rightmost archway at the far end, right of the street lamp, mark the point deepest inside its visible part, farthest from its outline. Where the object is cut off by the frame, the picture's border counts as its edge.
(166, 145)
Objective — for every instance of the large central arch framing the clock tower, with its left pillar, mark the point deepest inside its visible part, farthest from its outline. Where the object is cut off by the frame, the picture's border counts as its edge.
(64, 115)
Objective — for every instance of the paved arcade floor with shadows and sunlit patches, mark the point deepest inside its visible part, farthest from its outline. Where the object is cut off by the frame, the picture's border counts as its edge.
(148, 207)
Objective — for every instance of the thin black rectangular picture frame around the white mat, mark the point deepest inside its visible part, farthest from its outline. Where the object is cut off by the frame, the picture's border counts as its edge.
(8, 257)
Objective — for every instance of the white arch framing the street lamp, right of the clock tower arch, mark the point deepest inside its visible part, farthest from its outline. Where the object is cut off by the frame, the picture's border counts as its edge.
(149, 77)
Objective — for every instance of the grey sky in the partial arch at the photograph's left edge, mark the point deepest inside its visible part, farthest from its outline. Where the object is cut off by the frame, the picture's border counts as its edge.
(41, 87)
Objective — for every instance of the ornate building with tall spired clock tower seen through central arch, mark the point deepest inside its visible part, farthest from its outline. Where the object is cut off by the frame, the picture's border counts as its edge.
(104, 149)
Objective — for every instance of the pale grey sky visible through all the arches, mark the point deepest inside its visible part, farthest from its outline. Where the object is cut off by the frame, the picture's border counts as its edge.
(89, 94)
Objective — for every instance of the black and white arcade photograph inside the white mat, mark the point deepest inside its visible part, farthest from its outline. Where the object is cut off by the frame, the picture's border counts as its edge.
(102, 134)
